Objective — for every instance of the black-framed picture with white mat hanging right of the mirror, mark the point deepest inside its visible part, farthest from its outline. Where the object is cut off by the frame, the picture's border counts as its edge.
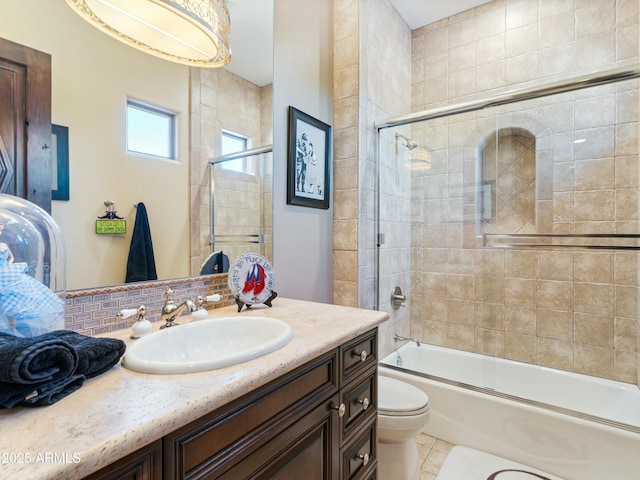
(308, 161)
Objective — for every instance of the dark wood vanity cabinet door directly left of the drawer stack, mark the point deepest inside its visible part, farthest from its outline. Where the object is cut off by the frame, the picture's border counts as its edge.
(307, 450)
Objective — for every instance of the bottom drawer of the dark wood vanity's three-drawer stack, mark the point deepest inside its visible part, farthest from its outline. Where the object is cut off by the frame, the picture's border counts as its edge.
(359, 458)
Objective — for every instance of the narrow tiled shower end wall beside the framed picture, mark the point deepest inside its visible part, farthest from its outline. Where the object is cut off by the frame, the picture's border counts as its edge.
(372, 65)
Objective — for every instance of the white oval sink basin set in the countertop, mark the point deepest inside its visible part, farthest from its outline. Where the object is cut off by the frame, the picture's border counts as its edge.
(207, 345)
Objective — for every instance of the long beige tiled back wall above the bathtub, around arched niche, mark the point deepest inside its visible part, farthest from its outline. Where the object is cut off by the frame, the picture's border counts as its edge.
(567, 308)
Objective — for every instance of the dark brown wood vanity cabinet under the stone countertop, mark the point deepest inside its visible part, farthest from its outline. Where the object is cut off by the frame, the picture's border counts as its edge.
(315, 423)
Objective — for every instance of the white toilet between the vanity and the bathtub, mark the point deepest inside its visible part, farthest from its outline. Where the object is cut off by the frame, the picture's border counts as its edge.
(403, 412)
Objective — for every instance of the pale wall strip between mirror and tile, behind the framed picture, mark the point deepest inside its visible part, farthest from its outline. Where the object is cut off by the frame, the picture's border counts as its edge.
(303, 78)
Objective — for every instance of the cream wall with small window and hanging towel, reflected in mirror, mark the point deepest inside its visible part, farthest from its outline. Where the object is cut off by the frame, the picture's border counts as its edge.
(92, 75)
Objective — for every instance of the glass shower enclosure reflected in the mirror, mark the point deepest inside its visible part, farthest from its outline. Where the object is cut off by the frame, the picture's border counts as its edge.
(240, 196)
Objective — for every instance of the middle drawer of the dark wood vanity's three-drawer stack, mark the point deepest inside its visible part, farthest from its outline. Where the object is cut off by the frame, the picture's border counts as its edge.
(360, 401)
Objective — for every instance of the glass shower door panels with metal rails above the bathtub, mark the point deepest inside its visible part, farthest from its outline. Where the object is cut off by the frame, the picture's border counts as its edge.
(511, 224)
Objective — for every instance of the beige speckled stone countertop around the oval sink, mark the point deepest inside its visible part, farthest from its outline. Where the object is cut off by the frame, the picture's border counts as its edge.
(121, 411)
